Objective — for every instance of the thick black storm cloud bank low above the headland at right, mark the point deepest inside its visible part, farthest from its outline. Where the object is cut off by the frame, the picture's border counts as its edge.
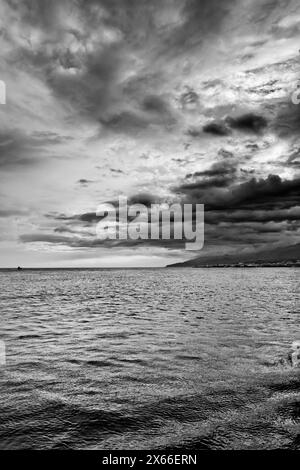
(252, 212)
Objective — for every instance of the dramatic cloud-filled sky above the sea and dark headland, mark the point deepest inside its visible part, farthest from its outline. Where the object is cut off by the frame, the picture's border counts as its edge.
(159, 101)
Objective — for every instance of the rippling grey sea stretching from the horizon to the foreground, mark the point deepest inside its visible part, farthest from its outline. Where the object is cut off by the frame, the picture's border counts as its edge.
(149, 359)
